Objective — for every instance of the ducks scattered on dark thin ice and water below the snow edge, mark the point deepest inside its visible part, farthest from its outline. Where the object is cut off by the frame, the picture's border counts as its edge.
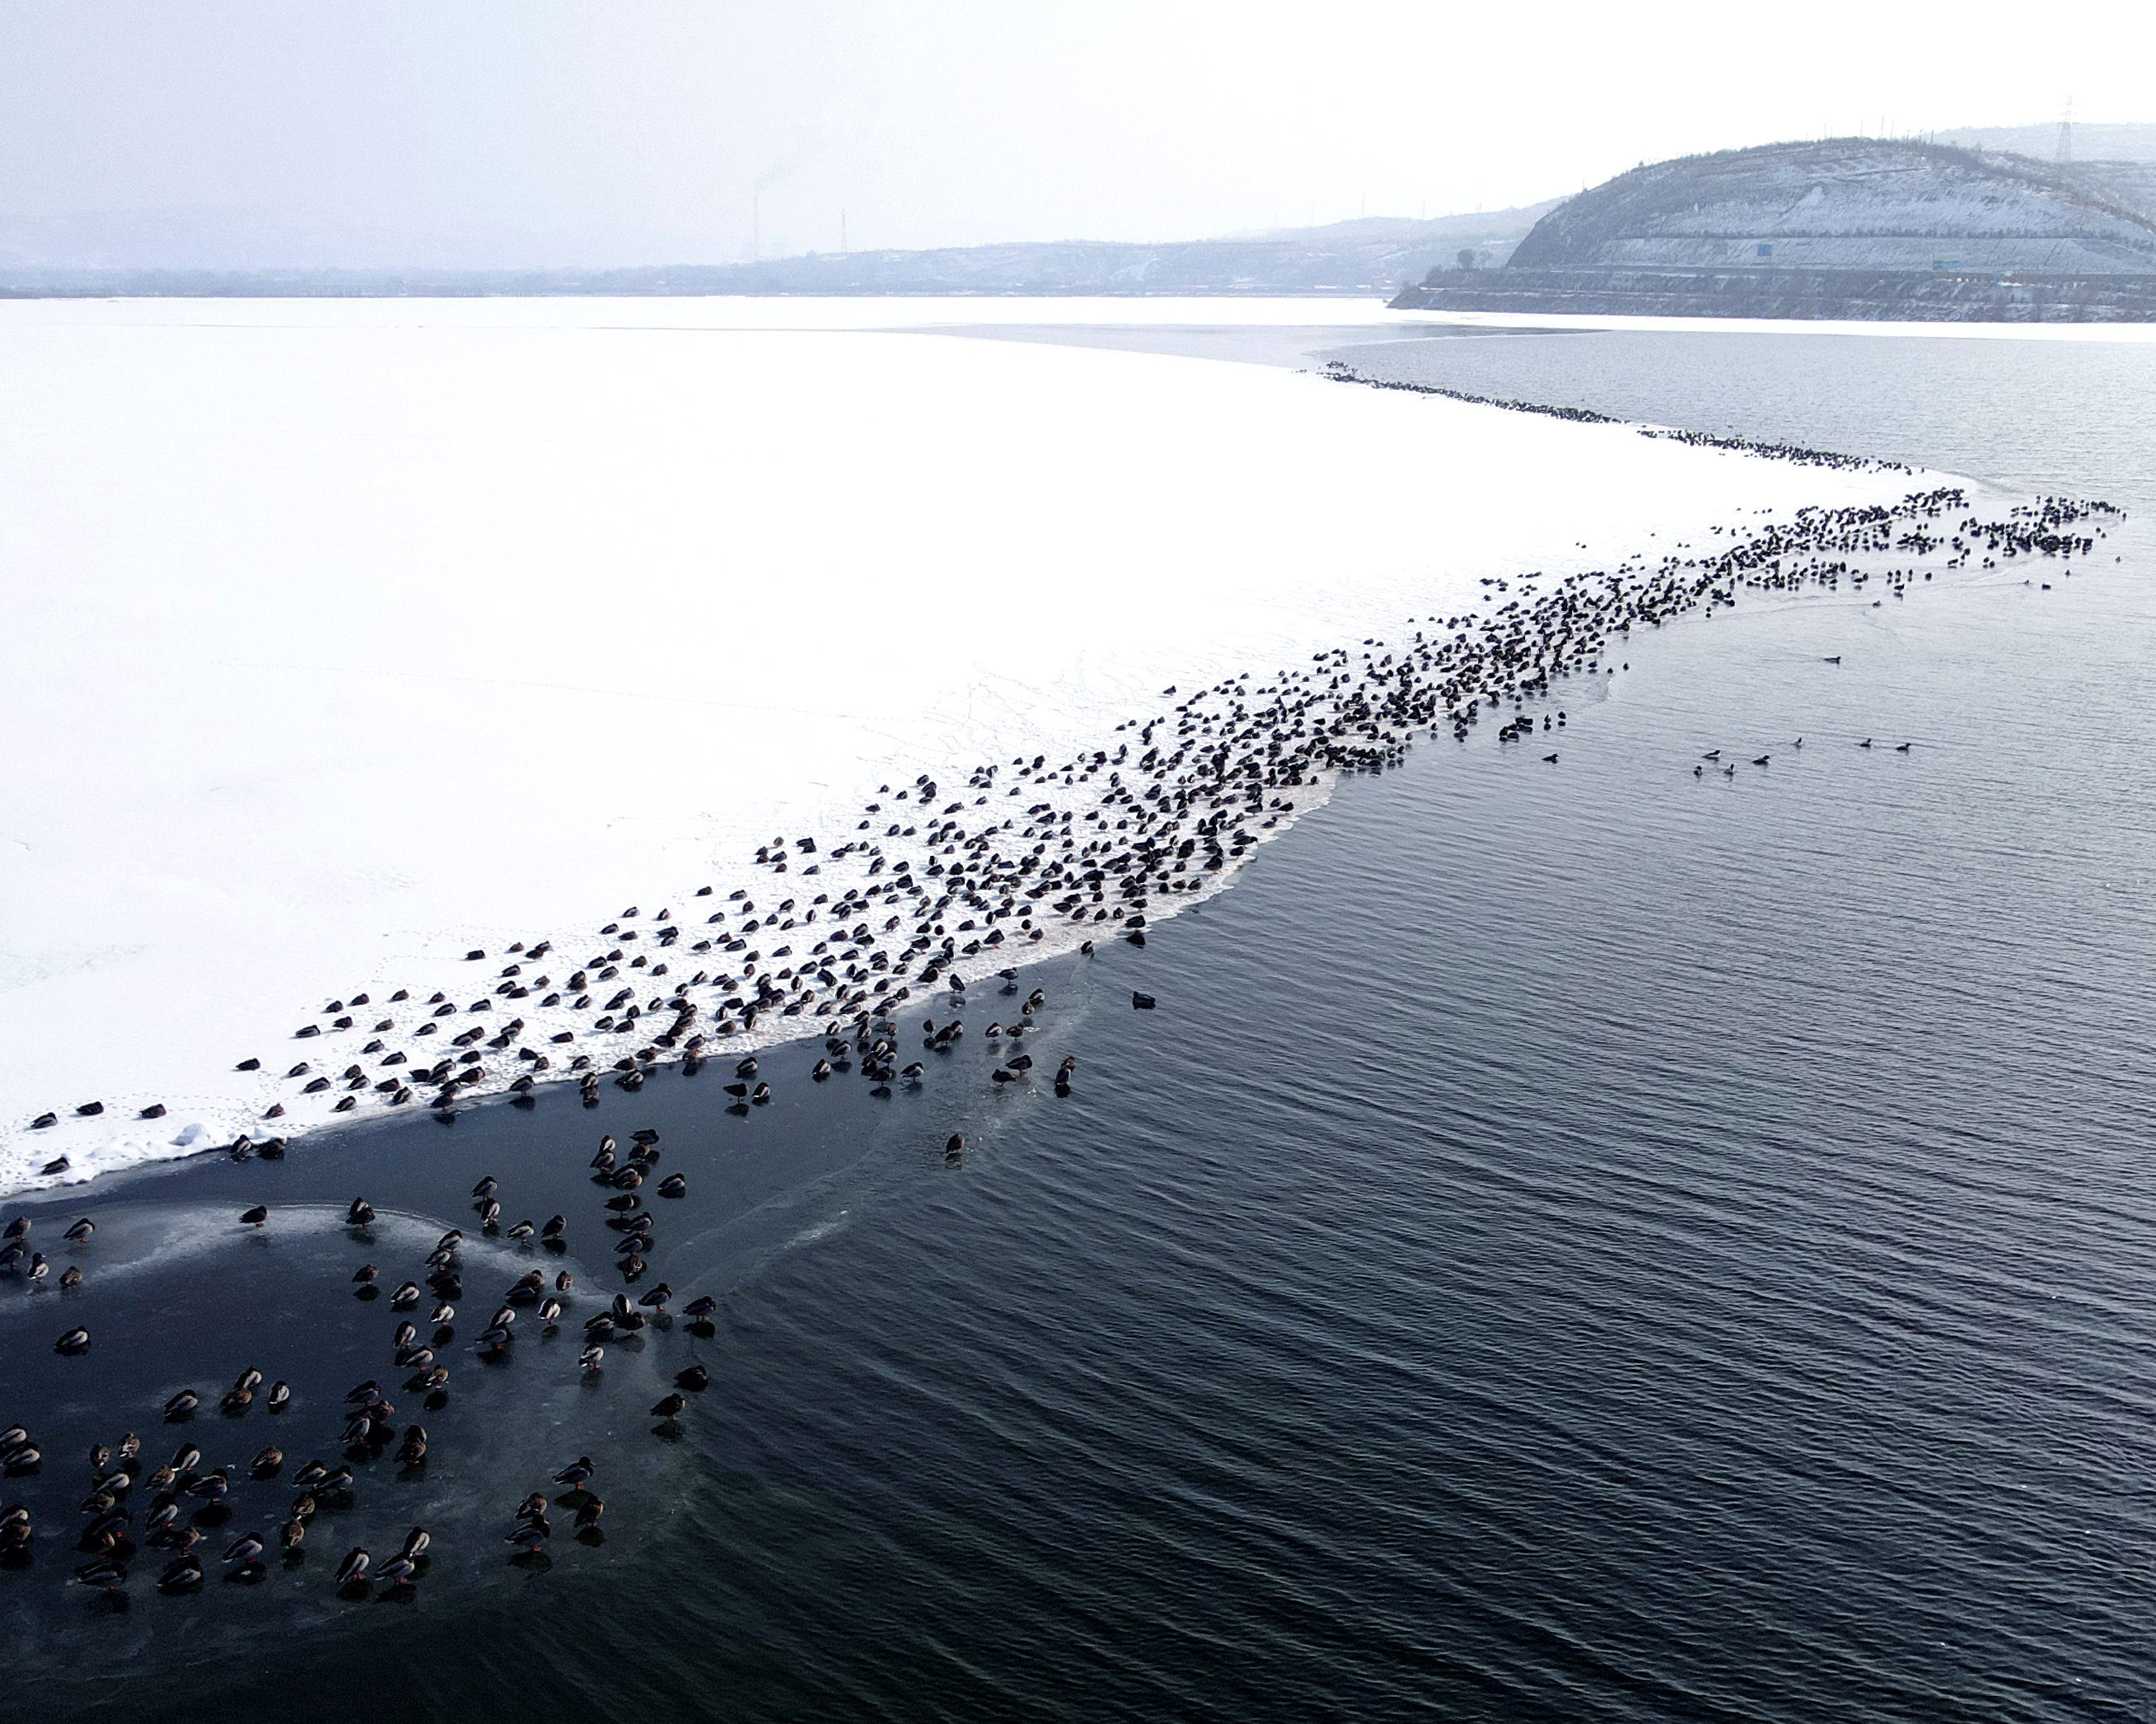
(189, 1503)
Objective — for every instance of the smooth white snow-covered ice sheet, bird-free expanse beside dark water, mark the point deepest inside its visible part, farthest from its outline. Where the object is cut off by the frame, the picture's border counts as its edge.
(346, 637)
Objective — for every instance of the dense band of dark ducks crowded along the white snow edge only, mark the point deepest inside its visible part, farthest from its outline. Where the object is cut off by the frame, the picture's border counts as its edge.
(937, 880)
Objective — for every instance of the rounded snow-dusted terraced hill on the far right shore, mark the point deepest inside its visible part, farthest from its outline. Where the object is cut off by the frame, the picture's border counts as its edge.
(1855, 204)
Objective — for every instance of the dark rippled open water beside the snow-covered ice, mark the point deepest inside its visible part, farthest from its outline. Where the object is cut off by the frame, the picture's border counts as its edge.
(1573, 1242)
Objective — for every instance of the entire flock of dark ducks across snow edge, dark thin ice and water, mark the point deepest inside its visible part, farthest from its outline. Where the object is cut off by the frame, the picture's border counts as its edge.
(846, 932)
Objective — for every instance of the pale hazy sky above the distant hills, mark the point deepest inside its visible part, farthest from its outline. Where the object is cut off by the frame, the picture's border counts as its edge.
(657, 130)
